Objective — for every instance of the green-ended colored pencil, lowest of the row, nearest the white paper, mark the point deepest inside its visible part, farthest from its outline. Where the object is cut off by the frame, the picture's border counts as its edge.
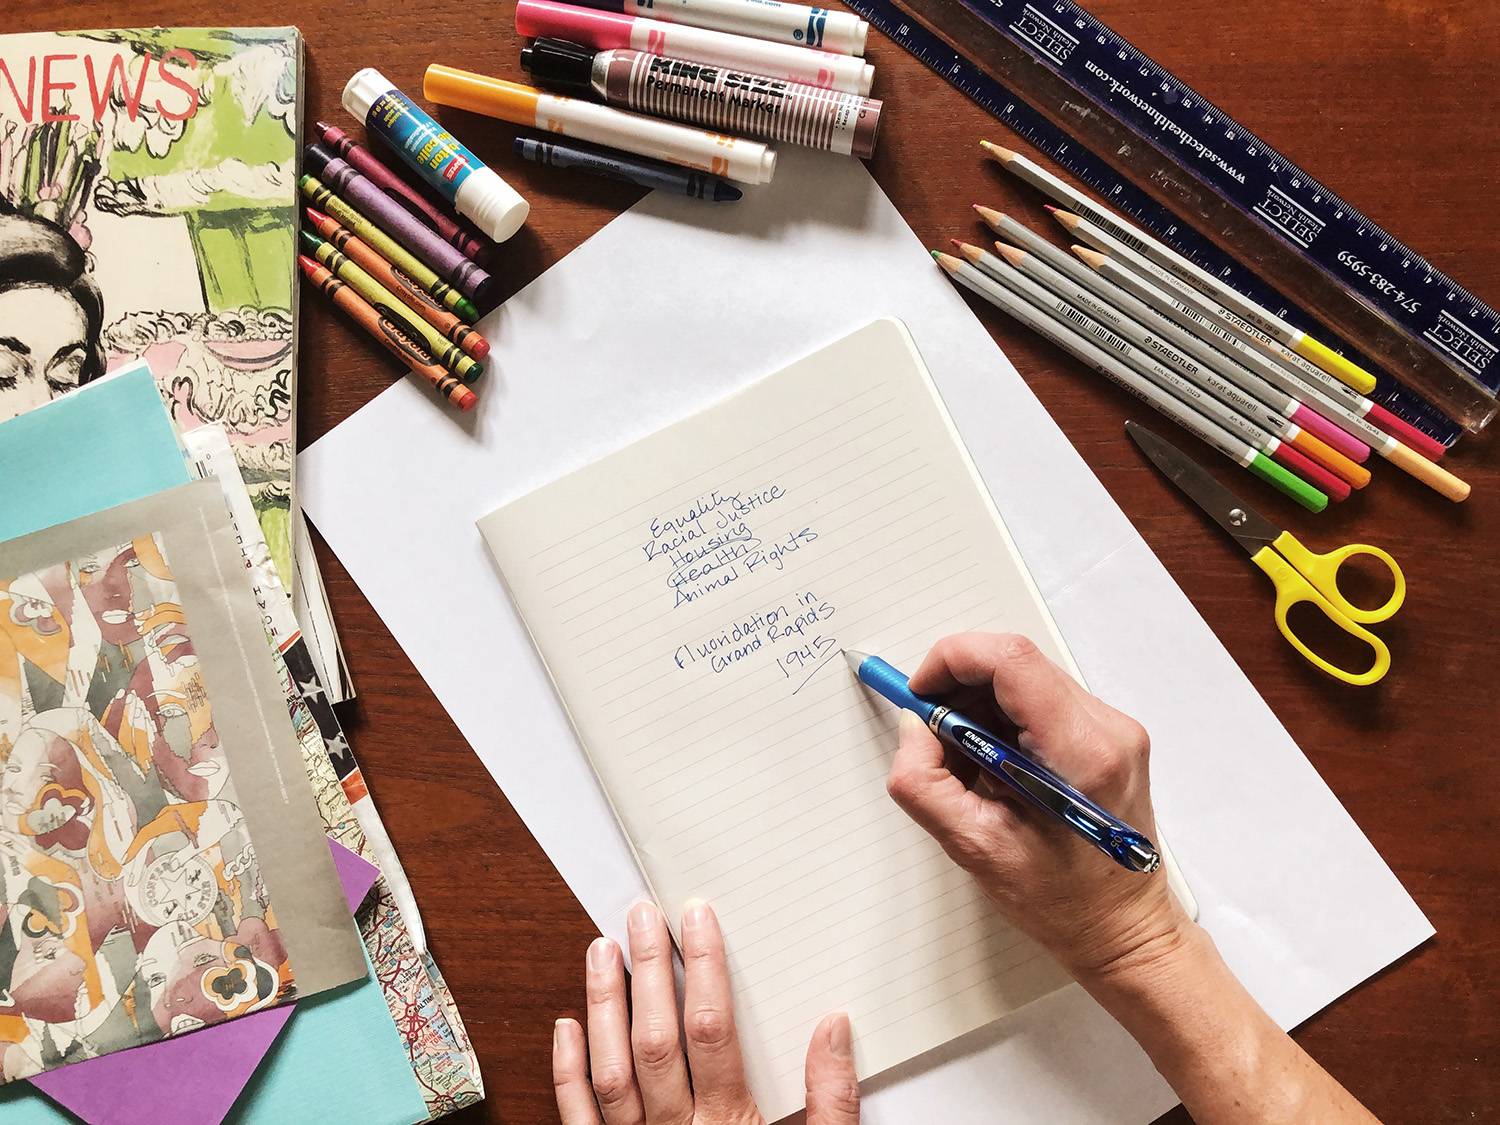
(1067, 338)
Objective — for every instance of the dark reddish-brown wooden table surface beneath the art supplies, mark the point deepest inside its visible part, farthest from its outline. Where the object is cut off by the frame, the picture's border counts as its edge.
(1396, 106)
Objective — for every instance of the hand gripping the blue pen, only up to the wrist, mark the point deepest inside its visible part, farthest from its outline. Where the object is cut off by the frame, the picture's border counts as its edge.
(1091, 914)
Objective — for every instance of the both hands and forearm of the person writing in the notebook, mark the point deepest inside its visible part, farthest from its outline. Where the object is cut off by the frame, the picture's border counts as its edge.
(1120, 932)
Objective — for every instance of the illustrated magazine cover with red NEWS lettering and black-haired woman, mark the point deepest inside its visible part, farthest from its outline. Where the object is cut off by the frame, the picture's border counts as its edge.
(148, 211)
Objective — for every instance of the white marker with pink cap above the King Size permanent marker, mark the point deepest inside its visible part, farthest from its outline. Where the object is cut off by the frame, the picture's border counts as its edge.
(607, 31)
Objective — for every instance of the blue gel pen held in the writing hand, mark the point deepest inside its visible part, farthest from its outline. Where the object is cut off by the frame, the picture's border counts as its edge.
(1039, 785)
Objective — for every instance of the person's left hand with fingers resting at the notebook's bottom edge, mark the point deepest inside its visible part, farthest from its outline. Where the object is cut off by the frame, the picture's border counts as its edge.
(632, 1067)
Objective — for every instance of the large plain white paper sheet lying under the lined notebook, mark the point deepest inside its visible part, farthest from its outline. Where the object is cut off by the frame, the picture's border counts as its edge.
(661, 314)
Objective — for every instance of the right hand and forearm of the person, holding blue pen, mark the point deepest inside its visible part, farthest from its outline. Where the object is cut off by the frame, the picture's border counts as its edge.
(1121, 934)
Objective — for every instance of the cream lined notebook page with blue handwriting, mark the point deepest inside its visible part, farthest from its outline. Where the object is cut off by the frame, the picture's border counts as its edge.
(692, 596)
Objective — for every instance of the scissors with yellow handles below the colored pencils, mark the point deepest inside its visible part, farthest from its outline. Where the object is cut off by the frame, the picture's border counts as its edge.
(1298, 574)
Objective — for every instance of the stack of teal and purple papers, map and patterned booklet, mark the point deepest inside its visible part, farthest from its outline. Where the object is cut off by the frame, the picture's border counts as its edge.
(172, 806)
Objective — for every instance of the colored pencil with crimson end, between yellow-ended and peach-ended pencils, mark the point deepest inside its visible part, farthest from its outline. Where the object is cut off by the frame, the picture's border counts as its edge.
(1249, 334)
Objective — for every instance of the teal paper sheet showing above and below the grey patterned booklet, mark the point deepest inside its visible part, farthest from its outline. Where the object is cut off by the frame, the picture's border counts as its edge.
(341, 1058)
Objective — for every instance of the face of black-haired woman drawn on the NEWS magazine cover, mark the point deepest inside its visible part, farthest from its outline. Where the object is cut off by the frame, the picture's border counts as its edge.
(44, 347)
